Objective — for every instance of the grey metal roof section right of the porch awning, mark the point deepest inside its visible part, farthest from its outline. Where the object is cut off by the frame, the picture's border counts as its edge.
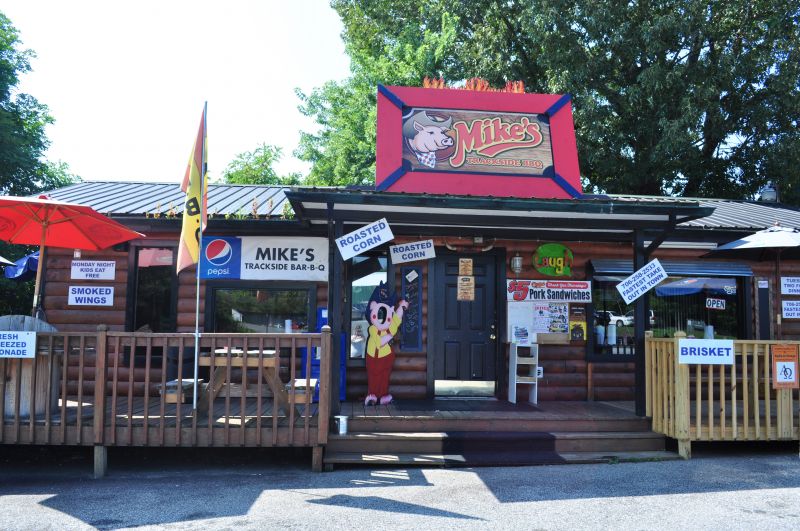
(730, 214)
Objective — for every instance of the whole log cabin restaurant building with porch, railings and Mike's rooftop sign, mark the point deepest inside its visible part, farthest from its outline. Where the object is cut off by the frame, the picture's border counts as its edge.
(515, 344)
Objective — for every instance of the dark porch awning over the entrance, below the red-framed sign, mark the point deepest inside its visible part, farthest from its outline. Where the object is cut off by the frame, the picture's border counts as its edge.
(586, 219)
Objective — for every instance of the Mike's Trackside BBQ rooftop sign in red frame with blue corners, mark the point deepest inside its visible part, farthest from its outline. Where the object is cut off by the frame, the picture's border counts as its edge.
(446, 141)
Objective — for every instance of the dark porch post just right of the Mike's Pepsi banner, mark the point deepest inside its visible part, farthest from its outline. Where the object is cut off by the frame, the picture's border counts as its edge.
(335, 306)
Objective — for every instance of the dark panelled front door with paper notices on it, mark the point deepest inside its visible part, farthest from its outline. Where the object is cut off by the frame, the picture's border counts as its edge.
(465, 344)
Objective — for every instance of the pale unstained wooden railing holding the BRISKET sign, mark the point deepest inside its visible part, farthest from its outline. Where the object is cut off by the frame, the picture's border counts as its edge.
(718, 402)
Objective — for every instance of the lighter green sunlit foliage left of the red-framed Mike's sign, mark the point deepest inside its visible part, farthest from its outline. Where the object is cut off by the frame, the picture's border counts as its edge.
(342, 150)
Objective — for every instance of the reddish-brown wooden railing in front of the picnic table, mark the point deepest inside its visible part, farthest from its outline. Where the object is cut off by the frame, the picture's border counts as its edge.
(112, 389)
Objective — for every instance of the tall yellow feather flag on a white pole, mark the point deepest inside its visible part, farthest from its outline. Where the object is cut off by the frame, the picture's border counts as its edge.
(195, 215)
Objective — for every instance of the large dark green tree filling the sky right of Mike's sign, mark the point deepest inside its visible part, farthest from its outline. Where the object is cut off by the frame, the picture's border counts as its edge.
(688, 97)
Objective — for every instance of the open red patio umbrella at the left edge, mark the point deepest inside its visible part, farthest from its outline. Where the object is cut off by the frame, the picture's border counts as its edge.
(49, 223)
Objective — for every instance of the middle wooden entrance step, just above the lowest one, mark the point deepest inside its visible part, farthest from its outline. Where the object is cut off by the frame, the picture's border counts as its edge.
(461, 441)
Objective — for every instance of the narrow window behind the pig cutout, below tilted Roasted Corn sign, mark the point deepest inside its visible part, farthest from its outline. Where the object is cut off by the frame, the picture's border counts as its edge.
(366, 273)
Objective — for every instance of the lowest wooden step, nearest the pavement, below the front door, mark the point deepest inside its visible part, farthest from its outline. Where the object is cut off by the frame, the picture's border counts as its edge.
(492, 459)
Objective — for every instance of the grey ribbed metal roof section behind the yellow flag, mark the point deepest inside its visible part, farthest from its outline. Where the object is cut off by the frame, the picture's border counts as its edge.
(117, 198)
